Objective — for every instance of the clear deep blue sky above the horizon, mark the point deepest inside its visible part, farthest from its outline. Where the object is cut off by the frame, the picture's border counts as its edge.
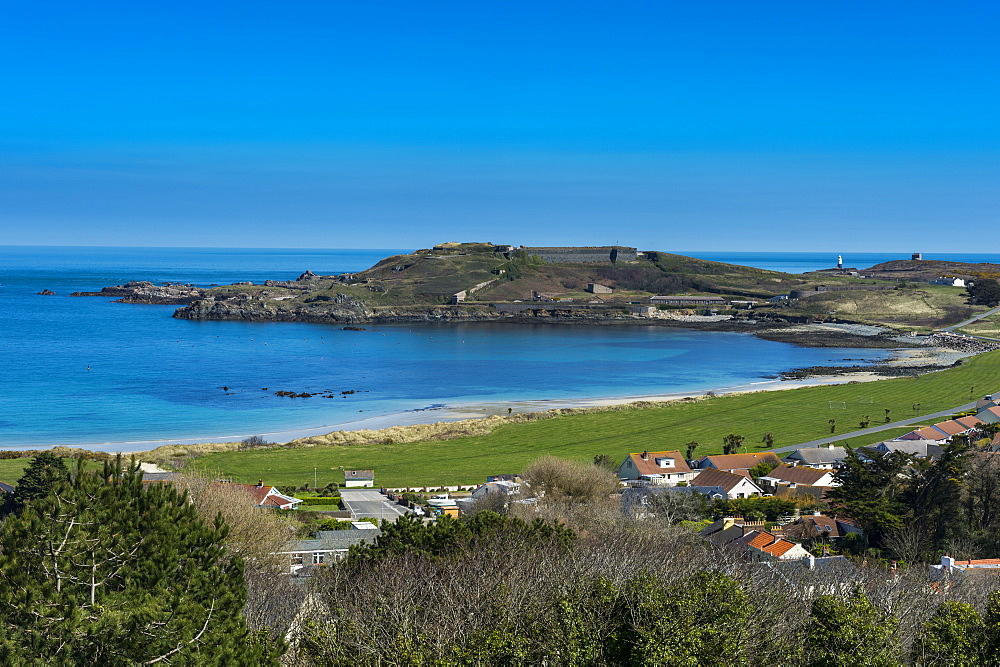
(799, 125)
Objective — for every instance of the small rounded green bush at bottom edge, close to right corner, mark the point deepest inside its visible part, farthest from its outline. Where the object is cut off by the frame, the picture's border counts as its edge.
(954, 635)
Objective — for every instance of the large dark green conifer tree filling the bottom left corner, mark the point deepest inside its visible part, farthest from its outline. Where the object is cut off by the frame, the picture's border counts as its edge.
(103, 571)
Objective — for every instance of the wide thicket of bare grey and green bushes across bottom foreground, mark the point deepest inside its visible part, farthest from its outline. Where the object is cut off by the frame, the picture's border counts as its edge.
(499, 590)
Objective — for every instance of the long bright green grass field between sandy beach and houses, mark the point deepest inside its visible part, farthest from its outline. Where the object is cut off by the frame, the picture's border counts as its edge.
(792, 416)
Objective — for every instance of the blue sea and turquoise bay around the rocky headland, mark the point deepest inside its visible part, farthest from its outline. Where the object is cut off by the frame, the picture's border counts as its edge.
(86, 371)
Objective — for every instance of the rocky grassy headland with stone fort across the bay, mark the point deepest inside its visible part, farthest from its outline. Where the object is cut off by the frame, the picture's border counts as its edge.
(464, 282)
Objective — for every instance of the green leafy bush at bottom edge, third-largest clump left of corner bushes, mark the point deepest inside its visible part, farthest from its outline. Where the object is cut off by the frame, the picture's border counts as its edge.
(850, 631)
